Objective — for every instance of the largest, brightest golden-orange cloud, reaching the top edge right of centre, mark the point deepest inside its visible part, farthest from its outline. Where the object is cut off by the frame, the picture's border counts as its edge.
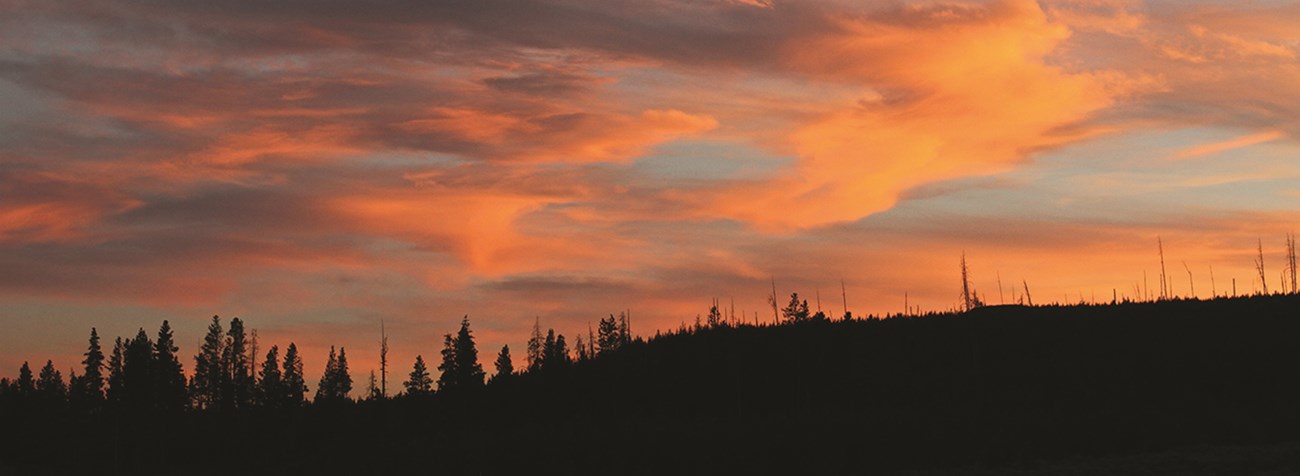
(950, 92)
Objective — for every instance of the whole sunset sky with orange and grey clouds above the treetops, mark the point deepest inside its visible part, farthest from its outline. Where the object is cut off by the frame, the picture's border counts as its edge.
(318, 168)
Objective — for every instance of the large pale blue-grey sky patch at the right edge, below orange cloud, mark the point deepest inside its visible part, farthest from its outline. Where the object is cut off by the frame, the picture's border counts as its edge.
(1125, 179)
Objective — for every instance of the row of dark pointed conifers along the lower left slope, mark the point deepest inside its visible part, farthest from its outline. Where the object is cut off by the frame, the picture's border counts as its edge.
(144, 374)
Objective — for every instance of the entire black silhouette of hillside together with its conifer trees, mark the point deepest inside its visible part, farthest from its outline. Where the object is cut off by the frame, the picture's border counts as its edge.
(989, 388)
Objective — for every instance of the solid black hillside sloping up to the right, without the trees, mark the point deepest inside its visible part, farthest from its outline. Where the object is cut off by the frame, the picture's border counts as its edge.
(1175, 388)
